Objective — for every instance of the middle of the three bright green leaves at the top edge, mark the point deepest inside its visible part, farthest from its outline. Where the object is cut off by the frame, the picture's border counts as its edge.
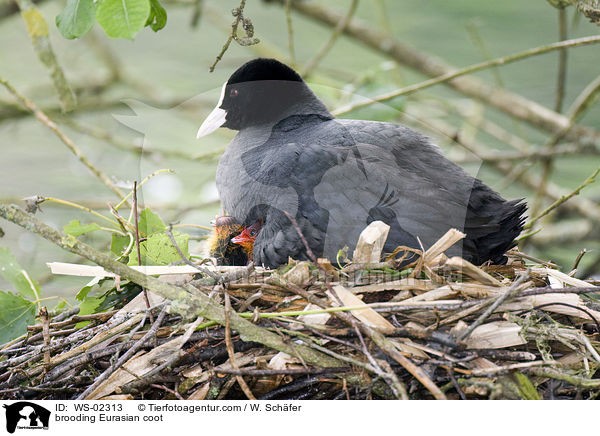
(123, 18)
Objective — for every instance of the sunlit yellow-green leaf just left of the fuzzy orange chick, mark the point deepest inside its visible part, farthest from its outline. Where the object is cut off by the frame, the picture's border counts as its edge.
(158, 249)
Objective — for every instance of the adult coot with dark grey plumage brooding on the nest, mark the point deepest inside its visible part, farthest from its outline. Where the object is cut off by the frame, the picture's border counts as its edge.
(335, 176)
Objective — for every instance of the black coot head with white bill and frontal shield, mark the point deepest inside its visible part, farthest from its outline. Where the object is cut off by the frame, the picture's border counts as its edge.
(259, 92)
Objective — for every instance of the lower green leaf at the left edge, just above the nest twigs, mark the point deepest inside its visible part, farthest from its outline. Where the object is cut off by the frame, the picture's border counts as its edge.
(16, 314)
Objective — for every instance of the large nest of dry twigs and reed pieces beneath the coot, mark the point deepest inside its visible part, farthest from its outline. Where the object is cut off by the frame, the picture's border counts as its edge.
(436, 327)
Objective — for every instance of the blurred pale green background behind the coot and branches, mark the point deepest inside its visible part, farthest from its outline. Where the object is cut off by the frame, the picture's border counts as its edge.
(139, 103)
